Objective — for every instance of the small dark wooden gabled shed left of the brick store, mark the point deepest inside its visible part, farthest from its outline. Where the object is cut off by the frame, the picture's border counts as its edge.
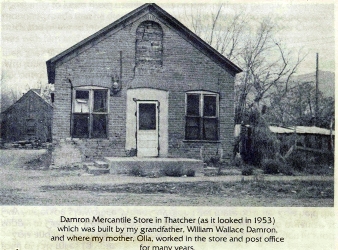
(30, 118)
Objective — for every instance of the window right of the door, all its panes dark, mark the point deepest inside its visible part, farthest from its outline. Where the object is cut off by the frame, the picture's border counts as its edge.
(201, 116)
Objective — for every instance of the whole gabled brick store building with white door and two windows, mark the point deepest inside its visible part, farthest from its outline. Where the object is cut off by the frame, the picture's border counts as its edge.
(143, 86)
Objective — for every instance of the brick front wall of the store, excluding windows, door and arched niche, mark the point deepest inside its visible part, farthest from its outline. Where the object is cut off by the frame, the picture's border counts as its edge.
(184, 68)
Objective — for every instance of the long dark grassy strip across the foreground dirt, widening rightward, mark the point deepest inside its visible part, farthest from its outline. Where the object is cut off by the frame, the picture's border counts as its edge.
(270, 189)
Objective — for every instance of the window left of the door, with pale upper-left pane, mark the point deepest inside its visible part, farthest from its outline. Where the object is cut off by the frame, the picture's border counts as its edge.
(90, 111)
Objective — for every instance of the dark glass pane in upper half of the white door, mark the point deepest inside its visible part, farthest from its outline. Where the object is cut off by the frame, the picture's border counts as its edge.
(147, 116)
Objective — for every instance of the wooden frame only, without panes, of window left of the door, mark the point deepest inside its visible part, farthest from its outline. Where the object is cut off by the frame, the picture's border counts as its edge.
(89, 112)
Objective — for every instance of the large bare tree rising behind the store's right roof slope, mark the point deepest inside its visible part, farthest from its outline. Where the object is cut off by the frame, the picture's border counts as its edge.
(253, 45)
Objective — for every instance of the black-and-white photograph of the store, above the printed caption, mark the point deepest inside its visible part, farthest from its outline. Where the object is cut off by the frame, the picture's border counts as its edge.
(218, 104)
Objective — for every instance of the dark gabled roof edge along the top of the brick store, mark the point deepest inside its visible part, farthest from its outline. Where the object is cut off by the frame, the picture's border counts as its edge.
(151, 7)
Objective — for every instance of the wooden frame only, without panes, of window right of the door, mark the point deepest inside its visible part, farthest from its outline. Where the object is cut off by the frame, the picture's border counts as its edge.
(201, 117)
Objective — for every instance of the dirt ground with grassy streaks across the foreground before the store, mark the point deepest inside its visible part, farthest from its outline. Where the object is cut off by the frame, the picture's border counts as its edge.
(22, 185)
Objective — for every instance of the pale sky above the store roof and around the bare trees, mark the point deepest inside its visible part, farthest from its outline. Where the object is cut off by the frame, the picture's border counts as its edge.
(34, 32)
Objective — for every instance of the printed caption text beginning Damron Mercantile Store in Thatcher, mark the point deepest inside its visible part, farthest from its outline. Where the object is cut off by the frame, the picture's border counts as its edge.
(167, 233)
